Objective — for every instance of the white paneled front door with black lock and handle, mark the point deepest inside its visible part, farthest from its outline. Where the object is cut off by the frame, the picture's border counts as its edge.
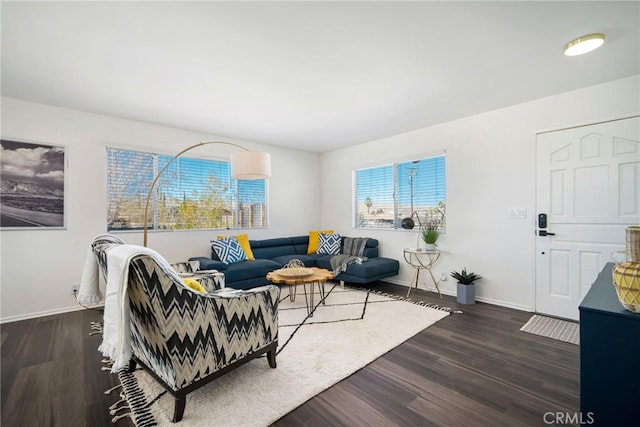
(588, 186)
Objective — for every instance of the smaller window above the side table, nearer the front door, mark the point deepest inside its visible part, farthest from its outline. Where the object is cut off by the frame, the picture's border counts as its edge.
(385, 194)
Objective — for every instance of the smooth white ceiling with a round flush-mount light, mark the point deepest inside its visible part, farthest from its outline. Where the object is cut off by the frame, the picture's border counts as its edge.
(315, 76)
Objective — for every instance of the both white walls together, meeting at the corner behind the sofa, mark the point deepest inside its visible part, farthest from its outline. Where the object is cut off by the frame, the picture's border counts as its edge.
(490, 169)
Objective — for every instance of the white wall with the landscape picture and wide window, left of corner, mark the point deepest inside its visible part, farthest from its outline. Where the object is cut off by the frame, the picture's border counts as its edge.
(40, 266)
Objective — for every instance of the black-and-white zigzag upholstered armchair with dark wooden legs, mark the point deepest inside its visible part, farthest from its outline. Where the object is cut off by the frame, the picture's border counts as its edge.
(186, 339)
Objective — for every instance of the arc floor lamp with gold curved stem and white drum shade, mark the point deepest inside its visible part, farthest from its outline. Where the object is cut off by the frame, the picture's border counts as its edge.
(245, 164)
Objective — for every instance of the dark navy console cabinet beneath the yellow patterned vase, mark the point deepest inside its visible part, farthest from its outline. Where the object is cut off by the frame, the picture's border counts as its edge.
(609, 356)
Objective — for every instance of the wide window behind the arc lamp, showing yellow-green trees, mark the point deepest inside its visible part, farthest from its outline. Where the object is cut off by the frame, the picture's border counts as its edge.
(190, 194)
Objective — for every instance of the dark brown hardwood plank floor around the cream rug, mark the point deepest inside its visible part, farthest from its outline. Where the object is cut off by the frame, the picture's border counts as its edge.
(470, 369)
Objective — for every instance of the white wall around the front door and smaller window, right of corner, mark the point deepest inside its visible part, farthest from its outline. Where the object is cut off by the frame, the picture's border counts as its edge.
(490, 169)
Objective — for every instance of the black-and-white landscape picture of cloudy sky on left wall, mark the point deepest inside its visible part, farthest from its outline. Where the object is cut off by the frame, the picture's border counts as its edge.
(32, 186)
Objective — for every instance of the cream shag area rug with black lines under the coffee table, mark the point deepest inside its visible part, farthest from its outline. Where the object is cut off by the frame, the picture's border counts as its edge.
(352, 328)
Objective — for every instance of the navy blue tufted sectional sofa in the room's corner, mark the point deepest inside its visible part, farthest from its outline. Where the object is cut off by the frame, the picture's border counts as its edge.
(271, 254)
